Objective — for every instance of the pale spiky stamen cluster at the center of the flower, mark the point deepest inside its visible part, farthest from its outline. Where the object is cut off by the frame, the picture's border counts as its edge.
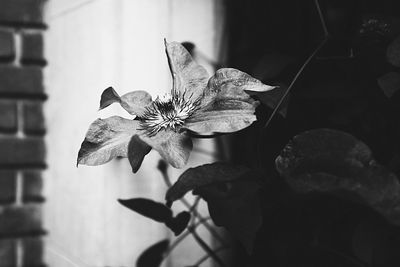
(167, 111)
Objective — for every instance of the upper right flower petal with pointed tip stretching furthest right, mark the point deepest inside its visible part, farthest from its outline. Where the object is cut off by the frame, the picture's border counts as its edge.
(232, 84)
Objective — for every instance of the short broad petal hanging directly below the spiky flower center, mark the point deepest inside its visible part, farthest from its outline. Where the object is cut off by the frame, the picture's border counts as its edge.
(174, 147)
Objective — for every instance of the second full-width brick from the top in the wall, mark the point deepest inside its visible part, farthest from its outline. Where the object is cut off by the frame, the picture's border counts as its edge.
(28, 80)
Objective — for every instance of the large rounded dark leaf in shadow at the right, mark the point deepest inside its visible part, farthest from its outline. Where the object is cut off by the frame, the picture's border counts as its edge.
(335, 162)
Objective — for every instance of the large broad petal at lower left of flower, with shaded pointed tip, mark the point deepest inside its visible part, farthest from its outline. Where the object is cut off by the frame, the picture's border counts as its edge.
(106, 139)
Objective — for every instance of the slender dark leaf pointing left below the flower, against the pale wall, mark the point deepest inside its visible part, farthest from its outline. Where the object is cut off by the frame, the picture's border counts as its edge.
(148, 208)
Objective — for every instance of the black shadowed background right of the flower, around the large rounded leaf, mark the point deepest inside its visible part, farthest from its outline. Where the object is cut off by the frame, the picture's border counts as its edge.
(271, 39)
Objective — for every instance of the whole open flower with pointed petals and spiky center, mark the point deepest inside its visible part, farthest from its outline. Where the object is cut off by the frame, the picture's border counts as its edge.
(196, 104)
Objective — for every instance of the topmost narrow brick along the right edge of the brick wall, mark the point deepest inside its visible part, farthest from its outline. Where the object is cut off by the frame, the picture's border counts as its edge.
(32, 49)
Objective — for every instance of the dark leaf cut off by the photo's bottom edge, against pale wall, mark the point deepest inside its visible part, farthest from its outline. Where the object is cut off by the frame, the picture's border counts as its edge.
(154, 255)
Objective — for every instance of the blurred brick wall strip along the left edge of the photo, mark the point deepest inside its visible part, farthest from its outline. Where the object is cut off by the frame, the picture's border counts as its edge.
(22, 129)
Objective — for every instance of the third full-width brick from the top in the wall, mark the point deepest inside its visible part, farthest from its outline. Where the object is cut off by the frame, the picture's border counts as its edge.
(22, 151)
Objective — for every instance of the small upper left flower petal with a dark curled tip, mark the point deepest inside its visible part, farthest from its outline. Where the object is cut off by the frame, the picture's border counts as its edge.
(134, 102)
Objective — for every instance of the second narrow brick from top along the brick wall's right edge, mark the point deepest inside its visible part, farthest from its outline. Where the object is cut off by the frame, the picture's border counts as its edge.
(33, 118)
